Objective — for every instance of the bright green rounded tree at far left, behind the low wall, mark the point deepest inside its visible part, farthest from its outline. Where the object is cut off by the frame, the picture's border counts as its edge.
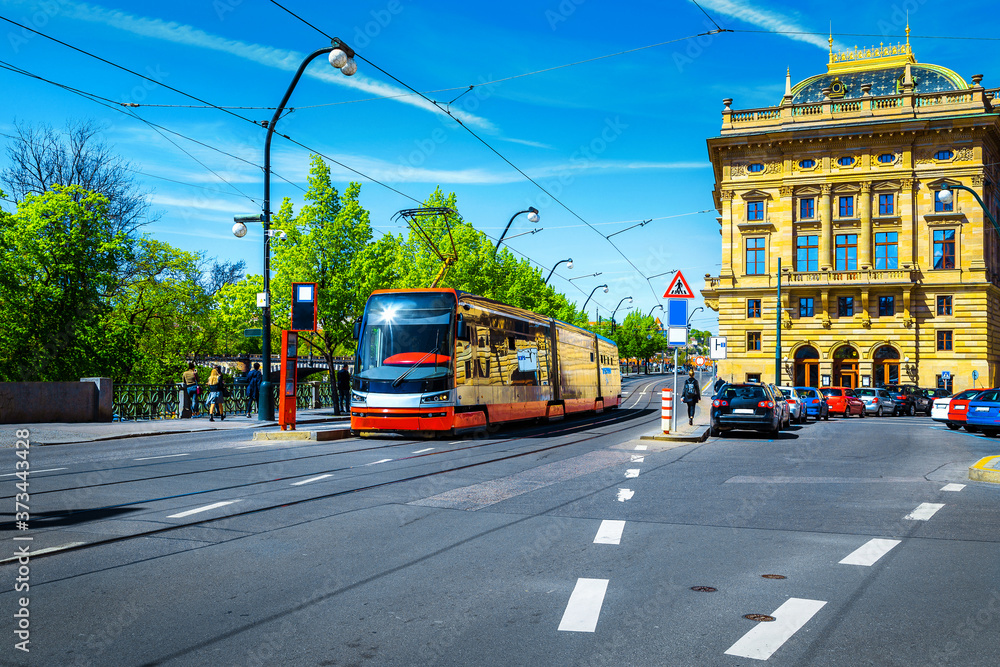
(59, 260)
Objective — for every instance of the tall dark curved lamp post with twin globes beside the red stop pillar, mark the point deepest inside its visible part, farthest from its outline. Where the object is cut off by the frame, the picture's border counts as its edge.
(342, 57)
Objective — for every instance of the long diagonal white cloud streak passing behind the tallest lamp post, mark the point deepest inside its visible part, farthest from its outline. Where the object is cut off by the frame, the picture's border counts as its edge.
(268, 56)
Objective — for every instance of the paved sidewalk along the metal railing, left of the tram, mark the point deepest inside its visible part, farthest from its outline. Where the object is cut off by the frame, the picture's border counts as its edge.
(64, 434)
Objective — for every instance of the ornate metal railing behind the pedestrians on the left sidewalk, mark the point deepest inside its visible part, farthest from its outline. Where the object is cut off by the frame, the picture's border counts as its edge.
(161, 401)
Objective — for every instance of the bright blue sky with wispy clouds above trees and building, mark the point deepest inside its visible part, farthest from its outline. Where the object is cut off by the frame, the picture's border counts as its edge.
(618, 140)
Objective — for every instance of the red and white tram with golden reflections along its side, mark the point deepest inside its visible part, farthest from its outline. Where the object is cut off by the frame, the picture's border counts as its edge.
(437, 361)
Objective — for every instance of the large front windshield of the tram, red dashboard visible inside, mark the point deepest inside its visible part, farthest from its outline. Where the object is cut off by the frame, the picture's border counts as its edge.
(406, 334)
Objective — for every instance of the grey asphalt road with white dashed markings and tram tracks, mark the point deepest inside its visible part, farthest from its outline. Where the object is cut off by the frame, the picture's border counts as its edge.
(568, 544)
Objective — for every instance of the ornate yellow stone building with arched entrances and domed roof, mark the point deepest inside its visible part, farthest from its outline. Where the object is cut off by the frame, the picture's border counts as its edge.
(880, 281)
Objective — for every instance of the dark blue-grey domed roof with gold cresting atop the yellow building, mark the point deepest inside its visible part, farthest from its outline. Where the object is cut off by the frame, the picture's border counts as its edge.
(888, 70)
